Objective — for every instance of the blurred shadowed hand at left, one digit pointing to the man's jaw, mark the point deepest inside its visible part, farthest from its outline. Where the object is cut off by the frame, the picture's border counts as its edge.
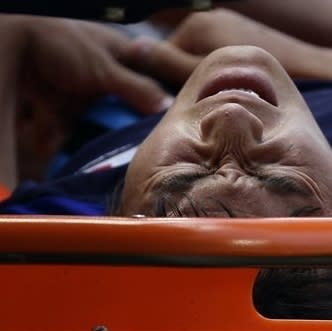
(68, 60)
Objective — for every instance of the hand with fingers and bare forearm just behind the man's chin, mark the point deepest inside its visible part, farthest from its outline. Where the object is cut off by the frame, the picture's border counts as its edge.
(201, 33)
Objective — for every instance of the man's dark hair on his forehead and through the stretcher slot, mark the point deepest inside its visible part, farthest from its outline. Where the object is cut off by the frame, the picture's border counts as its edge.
(283, 293)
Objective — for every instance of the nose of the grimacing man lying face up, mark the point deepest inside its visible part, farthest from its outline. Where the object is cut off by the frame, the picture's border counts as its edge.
(230, 123)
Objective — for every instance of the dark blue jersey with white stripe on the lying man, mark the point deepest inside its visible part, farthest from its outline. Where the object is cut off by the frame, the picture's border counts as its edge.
(87, 182)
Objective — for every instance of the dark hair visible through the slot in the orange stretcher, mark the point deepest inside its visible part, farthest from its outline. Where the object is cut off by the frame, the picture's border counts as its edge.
(294, 293)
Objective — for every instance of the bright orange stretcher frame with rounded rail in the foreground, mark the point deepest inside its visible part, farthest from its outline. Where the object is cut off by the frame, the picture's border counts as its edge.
(69, 273)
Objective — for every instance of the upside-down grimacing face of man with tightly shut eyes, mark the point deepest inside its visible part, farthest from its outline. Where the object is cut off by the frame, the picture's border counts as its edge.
(239, 141)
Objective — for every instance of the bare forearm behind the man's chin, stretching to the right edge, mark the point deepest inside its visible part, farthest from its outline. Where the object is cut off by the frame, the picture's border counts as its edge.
(222, 27)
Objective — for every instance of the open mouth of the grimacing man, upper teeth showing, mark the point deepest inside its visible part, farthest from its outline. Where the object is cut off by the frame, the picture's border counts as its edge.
(246, 81)
